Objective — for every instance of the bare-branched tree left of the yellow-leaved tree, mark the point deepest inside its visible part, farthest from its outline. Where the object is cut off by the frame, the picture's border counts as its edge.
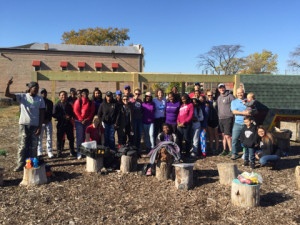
(222, 59)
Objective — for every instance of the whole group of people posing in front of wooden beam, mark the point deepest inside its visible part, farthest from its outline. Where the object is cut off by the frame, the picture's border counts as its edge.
(185, 119)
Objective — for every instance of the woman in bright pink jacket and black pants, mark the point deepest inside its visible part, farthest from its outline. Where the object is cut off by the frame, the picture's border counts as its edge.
(184, 123)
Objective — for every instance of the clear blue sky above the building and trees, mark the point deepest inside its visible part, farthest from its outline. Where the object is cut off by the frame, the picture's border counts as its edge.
(173, 33)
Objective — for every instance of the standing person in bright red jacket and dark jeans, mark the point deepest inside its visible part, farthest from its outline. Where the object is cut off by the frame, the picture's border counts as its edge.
(84, 110)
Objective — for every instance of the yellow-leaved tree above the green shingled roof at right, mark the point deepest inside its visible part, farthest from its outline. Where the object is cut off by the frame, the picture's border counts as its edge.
(260, 63)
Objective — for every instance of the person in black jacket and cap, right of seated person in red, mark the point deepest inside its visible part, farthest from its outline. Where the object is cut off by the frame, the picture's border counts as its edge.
(107, 114)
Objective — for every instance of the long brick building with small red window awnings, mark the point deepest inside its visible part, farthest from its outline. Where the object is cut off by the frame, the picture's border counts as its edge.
(19, 62)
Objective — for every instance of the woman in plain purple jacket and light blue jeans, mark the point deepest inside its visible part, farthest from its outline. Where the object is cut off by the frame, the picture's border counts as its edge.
(148, 108)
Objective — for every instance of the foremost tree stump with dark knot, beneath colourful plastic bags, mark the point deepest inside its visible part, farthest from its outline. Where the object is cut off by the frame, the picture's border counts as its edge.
(244, 195)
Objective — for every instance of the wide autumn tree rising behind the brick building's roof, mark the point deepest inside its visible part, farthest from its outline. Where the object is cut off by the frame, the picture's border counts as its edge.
(96, 36)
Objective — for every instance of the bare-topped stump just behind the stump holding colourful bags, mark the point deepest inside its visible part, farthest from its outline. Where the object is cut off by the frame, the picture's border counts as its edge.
(227, 172)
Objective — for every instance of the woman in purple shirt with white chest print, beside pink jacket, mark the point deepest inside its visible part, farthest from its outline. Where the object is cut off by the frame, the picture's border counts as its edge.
(172, 110)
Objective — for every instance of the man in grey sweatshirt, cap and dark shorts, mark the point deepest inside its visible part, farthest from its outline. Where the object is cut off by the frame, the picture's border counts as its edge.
(225, 117)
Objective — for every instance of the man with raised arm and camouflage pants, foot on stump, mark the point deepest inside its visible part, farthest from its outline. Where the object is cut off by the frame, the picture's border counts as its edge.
(32, 108)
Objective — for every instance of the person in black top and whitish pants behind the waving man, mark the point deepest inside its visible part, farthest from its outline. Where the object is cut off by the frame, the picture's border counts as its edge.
(47, 126)
